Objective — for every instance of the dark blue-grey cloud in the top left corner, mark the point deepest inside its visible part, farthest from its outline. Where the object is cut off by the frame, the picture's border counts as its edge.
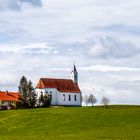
(17, 4)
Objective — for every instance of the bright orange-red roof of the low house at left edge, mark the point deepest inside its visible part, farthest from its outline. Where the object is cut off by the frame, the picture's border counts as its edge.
(9, 96)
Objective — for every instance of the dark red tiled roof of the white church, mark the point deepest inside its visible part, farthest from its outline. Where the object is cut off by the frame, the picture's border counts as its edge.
(62, 85)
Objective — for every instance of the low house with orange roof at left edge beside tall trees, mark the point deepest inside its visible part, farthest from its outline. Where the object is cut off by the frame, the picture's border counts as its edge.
(8, 99)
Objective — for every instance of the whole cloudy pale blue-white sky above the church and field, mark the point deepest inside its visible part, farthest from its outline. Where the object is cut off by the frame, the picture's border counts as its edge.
(44, 38)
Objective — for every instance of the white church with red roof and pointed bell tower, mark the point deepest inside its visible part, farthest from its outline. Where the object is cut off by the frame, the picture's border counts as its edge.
(63, 92)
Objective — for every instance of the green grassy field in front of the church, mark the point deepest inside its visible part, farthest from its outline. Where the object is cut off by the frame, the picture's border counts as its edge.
(71, 123)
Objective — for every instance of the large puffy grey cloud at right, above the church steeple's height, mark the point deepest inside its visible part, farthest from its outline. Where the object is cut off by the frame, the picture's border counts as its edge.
(109, 47)
